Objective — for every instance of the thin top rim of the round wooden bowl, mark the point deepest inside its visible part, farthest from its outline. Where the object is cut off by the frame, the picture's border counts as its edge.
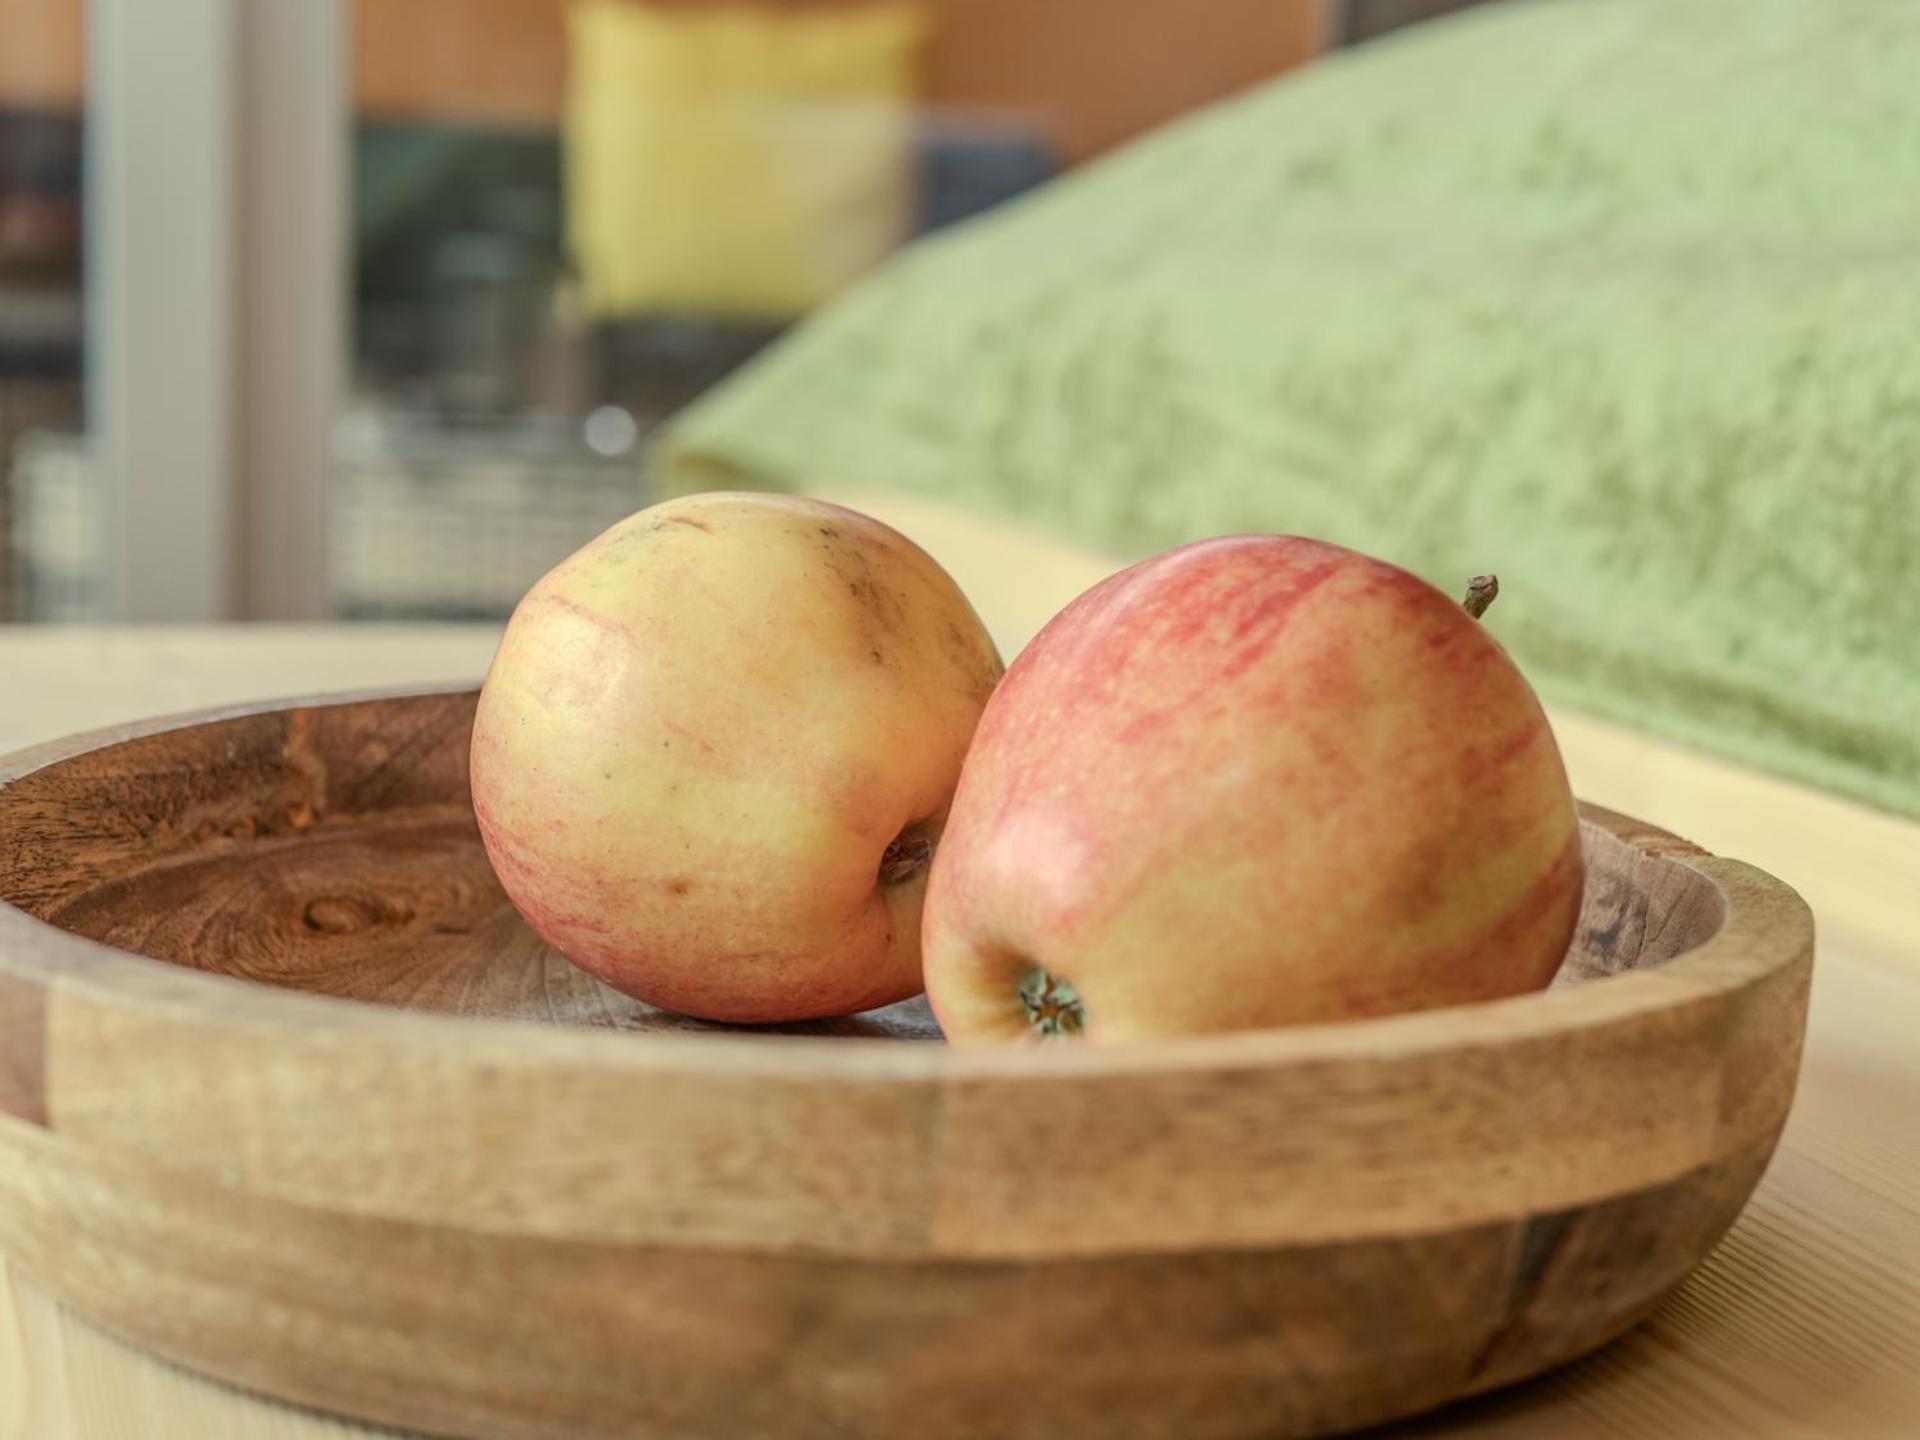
(1765, 926)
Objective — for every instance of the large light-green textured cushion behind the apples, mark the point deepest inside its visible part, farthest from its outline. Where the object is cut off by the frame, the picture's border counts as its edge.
(1620, 299)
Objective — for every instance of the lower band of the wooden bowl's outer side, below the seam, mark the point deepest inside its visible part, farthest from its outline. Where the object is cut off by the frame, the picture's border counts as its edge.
(1226, 1343)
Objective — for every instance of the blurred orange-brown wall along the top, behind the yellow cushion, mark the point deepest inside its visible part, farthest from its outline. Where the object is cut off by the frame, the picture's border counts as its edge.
(1093, 70)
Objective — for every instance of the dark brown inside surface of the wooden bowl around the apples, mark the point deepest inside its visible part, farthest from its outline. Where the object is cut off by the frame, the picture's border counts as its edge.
(333, 850)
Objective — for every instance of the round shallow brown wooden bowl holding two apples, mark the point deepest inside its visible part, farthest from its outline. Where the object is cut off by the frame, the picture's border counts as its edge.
(291, 1095)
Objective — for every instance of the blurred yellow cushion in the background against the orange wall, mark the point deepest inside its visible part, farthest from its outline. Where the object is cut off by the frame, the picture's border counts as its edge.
(731, 160)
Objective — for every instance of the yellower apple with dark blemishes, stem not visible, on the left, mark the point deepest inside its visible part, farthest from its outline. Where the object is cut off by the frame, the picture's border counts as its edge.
(717, 748)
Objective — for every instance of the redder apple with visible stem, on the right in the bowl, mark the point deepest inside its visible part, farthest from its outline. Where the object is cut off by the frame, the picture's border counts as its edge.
(1253, 782)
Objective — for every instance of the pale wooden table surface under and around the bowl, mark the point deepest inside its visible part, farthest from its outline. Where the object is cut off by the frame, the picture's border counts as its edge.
(1804, 1324)
